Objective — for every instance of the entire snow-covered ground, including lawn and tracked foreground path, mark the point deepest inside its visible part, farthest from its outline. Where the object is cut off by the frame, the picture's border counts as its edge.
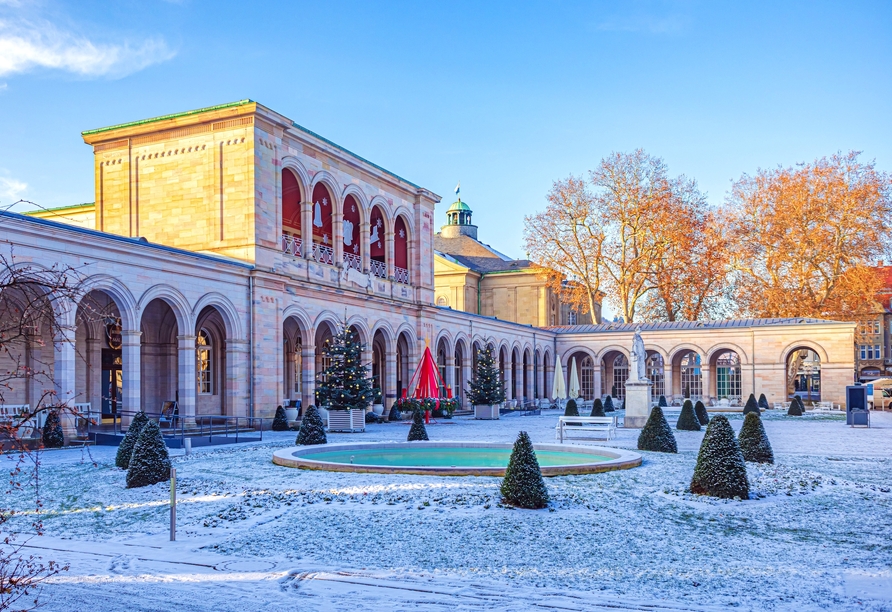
(256, 536)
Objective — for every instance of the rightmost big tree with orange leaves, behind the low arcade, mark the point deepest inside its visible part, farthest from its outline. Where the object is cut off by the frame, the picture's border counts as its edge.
(803, 239)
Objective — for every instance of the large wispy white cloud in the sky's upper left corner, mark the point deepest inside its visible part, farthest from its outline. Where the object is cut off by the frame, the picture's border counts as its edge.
(29, 45)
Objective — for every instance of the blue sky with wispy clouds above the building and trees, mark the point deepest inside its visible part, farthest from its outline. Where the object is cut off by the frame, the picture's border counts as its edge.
(504, 96)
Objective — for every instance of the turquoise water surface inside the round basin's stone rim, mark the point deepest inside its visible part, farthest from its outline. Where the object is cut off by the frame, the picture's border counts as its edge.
(448, 457)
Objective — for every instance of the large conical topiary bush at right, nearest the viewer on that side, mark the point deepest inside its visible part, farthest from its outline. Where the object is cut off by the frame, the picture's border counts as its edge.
(720, 470)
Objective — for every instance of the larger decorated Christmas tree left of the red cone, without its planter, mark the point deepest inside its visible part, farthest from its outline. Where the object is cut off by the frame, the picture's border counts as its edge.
(346, 383)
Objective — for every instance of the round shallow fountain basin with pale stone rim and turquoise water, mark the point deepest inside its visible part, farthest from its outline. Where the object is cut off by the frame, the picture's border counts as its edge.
(452, 458)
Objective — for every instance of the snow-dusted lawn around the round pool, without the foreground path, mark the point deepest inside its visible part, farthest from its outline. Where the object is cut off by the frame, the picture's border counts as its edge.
(818, 523)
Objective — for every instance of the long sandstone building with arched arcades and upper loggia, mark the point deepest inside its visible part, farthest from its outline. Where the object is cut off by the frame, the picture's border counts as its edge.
(227, 244)
